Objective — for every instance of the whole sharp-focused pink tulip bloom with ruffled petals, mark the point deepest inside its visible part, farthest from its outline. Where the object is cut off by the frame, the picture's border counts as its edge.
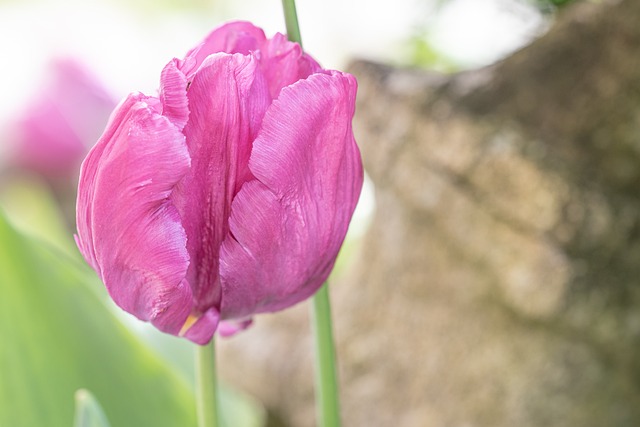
(227, 195)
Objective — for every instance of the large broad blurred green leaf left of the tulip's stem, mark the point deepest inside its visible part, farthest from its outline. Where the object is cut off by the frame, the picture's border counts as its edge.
(56, 336)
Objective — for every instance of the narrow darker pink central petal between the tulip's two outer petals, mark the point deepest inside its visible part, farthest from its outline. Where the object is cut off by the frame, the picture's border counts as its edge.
(227, 97)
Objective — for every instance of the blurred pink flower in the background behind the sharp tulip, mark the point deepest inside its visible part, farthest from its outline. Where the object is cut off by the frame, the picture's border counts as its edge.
(58, 127)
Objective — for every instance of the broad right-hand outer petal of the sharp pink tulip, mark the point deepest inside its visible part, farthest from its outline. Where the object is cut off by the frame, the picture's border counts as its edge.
(287, 225)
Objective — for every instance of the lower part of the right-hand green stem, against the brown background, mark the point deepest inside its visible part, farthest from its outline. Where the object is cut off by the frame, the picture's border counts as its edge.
(327, 404)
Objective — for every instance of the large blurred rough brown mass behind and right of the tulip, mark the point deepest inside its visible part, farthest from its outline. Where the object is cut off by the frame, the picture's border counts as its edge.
(498, 283)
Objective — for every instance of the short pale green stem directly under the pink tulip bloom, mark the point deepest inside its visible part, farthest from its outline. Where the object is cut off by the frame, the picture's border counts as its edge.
(206, 385)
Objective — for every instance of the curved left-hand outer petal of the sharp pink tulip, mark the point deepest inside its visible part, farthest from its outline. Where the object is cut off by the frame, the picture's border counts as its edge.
(128, 229)
